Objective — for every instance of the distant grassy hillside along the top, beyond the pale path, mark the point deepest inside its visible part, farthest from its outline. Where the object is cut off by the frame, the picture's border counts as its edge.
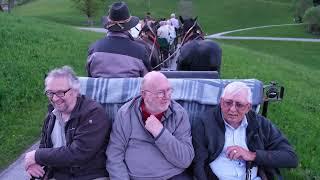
(214, 15)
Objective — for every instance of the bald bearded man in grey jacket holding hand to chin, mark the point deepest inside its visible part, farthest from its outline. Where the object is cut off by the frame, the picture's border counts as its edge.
(151, 135)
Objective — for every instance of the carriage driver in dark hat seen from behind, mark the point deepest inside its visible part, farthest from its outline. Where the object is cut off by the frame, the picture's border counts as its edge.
(118, 54)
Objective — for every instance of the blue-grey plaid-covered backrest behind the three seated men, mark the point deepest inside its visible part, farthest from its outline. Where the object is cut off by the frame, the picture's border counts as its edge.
(195, 95)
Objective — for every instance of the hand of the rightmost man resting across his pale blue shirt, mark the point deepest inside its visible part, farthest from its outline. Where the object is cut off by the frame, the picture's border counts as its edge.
(237, 152)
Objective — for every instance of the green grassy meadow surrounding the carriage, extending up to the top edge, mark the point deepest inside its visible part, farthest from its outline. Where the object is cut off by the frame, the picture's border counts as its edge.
(39, 36)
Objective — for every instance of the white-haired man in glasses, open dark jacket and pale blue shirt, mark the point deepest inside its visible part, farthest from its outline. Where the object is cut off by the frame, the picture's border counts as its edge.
(236, 143)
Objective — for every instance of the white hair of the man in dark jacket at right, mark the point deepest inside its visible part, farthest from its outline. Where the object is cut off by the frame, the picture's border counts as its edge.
(236, 87)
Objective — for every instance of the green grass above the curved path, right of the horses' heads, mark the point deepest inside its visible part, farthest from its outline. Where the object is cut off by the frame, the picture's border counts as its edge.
(218, 16)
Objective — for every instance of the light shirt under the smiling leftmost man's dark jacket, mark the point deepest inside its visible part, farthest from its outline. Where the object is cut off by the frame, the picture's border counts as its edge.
(58, 136)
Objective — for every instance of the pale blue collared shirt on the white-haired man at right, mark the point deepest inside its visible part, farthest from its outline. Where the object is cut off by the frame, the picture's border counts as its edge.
(227, 169)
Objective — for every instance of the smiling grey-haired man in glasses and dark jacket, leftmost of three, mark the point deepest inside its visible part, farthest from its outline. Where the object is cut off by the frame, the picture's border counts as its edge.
(74, 135)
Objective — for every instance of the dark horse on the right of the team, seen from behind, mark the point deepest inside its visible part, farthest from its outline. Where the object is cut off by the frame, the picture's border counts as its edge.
(196, 53)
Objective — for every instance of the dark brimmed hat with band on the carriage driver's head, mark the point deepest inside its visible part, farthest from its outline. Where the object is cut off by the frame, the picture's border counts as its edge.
(119, 18)
